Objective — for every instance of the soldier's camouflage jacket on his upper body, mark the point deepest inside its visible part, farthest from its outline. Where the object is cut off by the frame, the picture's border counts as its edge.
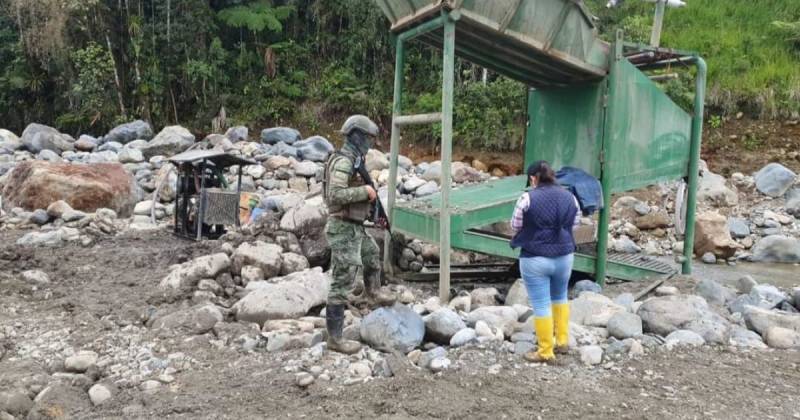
(345, 193)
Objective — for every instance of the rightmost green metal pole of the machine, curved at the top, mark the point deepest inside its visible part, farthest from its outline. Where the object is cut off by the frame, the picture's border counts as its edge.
(694, 163)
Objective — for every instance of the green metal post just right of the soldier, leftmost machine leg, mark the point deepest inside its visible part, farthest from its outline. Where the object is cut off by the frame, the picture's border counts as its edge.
(394, 150)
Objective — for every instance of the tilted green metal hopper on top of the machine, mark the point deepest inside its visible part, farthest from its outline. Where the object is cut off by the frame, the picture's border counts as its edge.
(538, 42)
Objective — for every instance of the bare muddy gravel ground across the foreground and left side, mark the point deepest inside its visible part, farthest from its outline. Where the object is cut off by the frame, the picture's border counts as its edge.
(97, 292)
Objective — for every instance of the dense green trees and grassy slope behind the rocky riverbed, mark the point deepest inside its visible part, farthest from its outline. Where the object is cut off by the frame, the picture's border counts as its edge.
(86, 65)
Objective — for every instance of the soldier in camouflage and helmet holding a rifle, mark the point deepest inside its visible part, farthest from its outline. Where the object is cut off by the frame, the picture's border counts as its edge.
(348, 200)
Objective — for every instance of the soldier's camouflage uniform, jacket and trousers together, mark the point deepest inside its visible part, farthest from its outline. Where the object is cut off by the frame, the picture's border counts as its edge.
(351, 246)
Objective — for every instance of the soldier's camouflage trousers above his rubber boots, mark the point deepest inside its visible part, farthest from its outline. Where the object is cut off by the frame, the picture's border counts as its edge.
(351, 249)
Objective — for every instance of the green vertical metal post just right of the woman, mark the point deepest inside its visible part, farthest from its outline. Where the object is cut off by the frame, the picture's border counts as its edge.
(606, 175)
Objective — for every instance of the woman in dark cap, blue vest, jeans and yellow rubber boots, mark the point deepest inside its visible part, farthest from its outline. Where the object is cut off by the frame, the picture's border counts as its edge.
(542, 223)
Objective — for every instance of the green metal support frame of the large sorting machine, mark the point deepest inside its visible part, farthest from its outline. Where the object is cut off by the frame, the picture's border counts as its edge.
(454, 226)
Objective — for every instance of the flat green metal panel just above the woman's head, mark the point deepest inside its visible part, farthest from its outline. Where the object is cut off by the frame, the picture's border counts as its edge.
(566, 126)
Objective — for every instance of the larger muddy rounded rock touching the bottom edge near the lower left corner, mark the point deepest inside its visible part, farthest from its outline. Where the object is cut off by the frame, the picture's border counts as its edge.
(65, 400)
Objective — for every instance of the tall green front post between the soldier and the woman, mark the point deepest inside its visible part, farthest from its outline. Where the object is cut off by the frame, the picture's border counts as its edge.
(448, 74)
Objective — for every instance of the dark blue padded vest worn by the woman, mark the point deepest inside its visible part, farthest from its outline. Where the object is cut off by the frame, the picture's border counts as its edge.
(547, 225)
